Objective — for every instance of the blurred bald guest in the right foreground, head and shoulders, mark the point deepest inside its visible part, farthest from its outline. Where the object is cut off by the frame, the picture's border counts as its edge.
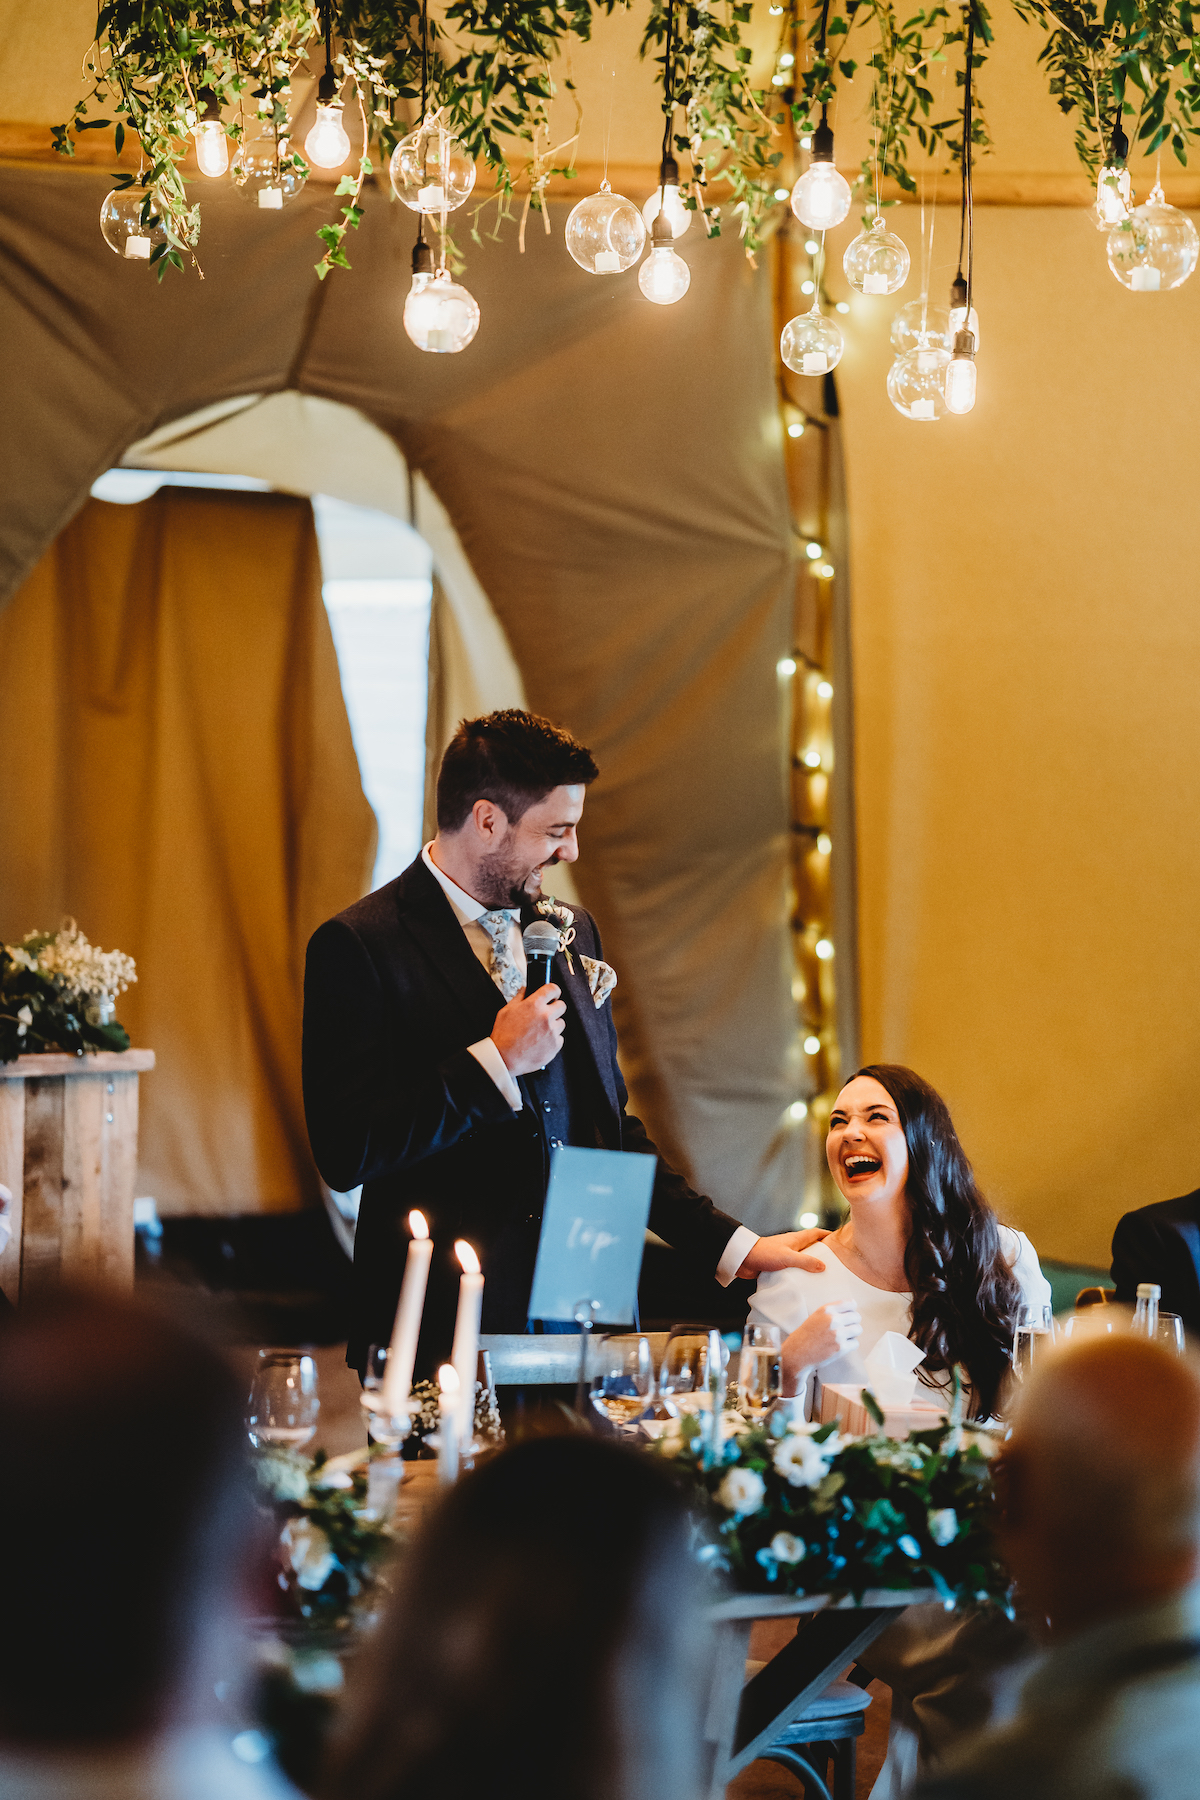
(1102, 1531)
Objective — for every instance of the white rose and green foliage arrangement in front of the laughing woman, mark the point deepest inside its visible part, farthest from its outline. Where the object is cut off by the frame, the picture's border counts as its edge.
(791, 1507)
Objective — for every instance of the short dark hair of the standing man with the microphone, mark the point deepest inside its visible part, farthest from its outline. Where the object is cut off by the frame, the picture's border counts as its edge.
(514, 760)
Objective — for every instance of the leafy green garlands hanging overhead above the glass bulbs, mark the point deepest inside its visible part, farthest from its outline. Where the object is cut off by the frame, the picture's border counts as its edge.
(163, 67)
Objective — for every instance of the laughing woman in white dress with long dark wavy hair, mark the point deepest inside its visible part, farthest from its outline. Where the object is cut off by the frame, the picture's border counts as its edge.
(922, 1252)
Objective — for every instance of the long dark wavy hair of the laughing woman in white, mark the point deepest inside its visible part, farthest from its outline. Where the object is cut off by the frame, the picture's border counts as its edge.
(965, 1297)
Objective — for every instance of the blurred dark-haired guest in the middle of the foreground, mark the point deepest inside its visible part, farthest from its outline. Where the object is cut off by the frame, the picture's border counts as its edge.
(546, 1641)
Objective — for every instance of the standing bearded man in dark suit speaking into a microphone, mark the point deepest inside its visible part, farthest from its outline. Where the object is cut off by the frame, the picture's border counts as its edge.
(433, 1079)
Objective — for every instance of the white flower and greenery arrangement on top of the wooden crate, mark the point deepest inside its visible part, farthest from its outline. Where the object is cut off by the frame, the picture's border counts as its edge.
(60, 993)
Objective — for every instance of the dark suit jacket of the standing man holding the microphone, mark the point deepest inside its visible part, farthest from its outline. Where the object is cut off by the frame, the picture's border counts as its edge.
(393, 996)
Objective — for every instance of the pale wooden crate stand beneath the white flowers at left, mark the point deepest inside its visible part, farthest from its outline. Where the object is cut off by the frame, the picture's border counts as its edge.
(69, 1155)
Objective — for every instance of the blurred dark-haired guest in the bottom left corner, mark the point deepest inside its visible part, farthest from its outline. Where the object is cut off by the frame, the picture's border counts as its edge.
(127, 1533)
